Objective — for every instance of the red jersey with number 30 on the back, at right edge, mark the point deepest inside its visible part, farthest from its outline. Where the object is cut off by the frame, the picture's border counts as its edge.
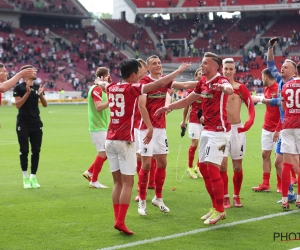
(291, 98)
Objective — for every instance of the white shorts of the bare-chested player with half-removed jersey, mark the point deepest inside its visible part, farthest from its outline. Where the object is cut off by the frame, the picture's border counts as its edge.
(237, 144)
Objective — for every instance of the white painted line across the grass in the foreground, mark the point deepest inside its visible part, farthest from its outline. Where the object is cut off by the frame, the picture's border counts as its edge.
(173, 236)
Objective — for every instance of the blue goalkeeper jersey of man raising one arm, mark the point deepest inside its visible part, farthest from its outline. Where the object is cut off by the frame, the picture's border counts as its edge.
(278, 78)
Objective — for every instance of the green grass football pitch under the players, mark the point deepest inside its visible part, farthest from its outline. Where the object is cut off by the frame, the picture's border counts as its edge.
(66, 214)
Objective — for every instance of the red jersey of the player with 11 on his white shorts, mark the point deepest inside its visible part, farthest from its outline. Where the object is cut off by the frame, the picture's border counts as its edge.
(213, 104)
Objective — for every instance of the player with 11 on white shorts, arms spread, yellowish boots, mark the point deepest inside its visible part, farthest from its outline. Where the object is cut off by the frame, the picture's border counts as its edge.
(214, 89)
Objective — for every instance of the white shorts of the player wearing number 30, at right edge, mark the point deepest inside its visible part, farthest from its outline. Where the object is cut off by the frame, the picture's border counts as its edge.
(290, 141)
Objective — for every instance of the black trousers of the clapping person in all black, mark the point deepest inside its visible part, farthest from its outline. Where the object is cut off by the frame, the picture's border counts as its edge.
(33, 136)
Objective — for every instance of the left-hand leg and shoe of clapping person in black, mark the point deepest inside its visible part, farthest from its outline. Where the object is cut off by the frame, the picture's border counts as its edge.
(23, 136)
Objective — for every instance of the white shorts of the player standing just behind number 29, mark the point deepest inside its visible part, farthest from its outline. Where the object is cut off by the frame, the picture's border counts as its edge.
(157, 146)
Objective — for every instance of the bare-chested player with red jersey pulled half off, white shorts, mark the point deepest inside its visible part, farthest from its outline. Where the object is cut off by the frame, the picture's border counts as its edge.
(237, 144)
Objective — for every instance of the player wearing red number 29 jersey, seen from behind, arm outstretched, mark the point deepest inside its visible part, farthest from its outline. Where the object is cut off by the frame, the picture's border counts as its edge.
(119, 145)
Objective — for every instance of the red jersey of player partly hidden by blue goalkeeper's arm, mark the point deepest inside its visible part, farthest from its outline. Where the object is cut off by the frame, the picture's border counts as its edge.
(272, 114)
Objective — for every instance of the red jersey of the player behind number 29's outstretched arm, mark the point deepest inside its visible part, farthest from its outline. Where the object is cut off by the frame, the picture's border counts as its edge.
(155, 100)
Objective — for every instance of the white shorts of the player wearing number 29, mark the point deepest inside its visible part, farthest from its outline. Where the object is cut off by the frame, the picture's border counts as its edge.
(121, 156)
